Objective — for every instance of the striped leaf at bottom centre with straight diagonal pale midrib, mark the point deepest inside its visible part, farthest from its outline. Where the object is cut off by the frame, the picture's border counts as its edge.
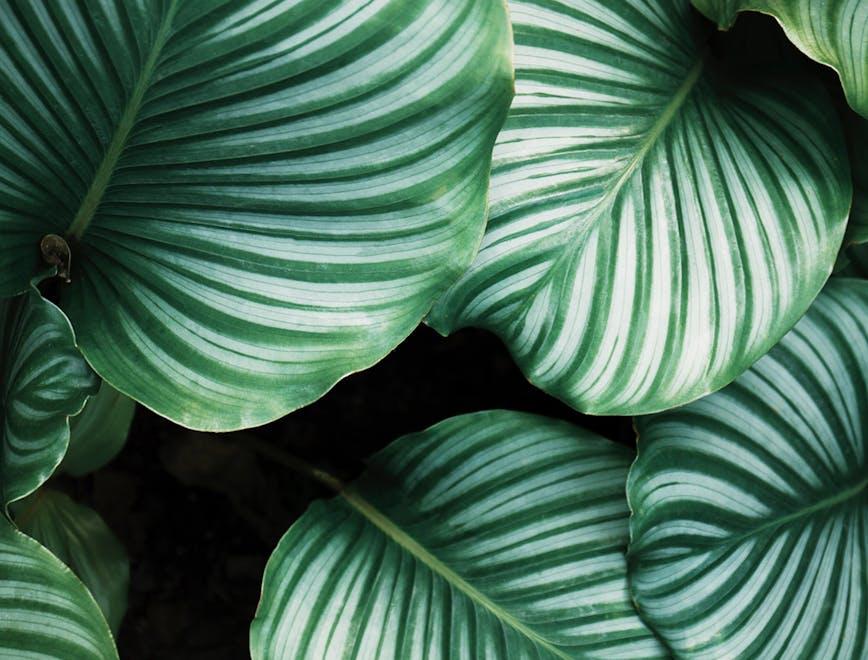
(496, 534)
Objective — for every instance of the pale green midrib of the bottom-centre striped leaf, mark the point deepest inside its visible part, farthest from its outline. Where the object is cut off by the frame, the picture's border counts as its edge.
(420, 553)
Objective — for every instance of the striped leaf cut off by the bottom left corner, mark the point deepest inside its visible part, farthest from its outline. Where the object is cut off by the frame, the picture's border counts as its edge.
(45, 611)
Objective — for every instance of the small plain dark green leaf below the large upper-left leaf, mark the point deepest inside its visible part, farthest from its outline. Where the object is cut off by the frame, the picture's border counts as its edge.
(99, 432)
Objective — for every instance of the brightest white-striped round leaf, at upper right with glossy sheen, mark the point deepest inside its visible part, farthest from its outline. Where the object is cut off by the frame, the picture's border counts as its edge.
(659, 218)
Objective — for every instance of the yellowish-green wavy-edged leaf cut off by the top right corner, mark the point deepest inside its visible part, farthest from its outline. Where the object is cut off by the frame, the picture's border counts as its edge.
(833, 32)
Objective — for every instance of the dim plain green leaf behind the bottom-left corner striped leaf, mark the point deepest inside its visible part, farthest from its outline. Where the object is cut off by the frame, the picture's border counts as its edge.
(77, 536)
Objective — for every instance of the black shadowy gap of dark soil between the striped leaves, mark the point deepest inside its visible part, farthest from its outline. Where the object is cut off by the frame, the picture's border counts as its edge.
(200, 513)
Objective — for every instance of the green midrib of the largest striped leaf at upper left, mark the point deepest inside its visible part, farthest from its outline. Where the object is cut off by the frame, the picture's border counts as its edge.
(116, 147)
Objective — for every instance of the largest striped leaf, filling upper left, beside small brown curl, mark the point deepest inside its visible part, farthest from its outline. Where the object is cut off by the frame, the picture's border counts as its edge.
(259, 198)
